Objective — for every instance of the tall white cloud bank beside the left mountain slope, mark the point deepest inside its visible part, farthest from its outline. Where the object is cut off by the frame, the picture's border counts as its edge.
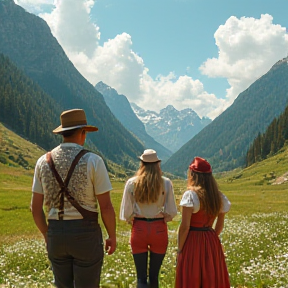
(114, 63)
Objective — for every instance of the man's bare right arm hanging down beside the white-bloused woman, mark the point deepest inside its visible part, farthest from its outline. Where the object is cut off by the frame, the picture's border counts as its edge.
(108, 217)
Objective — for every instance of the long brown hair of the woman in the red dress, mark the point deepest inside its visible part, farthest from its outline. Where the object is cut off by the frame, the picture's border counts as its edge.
(206, 187)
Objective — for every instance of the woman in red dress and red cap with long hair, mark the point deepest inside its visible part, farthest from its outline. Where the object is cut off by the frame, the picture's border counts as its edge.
(200, 259)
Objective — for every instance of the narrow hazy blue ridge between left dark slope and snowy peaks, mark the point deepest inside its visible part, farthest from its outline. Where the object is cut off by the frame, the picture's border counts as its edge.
(120, 107)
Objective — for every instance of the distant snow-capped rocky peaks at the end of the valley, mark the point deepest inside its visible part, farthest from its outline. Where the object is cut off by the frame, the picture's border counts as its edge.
(170, 127)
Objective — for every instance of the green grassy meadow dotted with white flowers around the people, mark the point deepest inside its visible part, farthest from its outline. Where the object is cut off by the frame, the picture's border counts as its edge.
(255, 234)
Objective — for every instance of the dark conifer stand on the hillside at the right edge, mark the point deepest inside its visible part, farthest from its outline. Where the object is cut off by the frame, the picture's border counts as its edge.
(271, 141)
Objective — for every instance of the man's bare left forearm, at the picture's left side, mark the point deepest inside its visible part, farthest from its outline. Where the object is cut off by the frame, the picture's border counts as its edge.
(38, 213)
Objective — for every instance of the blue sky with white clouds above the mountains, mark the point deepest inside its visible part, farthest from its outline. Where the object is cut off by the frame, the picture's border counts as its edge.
(198, 54)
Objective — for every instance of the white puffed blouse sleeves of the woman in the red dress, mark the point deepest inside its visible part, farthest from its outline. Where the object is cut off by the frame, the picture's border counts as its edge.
(191, 199)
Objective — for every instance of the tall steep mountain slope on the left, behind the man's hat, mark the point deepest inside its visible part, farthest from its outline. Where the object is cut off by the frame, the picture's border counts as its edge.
(27, 40)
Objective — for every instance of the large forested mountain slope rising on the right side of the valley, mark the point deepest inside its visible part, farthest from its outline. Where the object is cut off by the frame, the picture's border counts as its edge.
(226, 140)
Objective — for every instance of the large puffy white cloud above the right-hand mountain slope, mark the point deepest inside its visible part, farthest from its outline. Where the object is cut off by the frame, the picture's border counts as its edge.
(248, 48)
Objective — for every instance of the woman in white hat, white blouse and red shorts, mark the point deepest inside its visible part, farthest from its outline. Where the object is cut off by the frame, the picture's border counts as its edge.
(148, 203)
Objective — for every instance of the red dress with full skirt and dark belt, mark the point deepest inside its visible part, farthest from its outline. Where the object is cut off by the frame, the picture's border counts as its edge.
(202, 262)
